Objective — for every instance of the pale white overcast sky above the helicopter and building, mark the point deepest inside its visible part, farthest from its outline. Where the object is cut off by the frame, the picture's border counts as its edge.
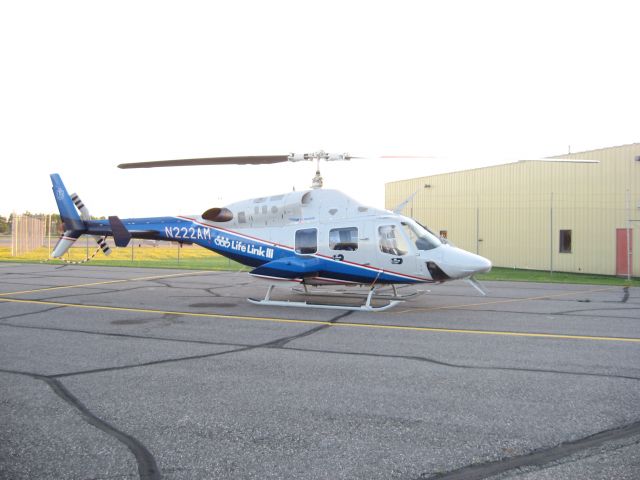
(88, 85)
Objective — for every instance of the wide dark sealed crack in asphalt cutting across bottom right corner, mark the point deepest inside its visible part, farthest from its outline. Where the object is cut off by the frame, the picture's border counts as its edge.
(537, 458)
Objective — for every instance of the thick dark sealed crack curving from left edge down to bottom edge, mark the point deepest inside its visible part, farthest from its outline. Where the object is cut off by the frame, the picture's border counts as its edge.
(147, 467)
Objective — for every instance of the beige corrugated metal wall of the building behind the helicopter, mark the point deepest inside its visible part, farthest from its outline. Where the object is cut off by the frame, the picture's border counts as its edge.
(513, 213)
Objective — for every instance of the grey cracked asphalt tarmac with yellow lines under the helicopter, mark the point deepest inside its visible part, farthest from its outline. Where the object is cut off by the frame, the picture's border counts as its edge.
(145, 373)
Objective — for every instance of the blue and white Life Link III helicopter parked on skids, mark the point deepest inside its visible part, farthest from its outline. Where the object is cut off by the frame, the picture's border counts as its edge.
(315, 237)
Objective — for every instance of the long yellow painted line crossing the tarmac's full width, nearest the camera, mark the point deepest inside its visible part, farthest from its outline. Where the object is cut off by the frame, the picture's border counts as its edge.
(321, 322)
